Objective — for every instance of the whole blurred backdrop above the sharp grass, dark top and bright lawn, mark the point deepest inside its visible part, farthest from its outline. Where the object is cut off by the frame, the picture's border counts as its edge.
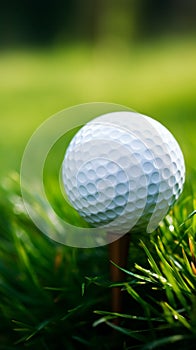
(55, 54)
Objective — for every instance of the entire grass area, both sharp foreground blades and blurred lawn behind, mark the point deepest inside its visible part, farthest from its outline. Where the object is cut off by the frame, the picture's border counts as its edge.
(58, 297)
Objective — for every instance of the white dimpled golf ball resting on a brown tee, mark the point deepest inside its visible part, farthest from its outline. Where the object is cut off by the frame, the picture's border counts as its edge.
(123, 171)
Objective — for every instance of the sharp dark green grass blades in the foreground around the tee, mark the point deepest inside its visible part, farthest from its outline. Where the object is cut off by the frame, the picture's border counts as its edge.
(53, 296)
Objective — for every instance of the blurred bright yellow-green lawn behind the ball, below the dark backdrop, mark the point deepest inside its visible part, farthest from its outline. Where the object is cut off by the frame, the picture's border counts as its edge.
(156, 78)
